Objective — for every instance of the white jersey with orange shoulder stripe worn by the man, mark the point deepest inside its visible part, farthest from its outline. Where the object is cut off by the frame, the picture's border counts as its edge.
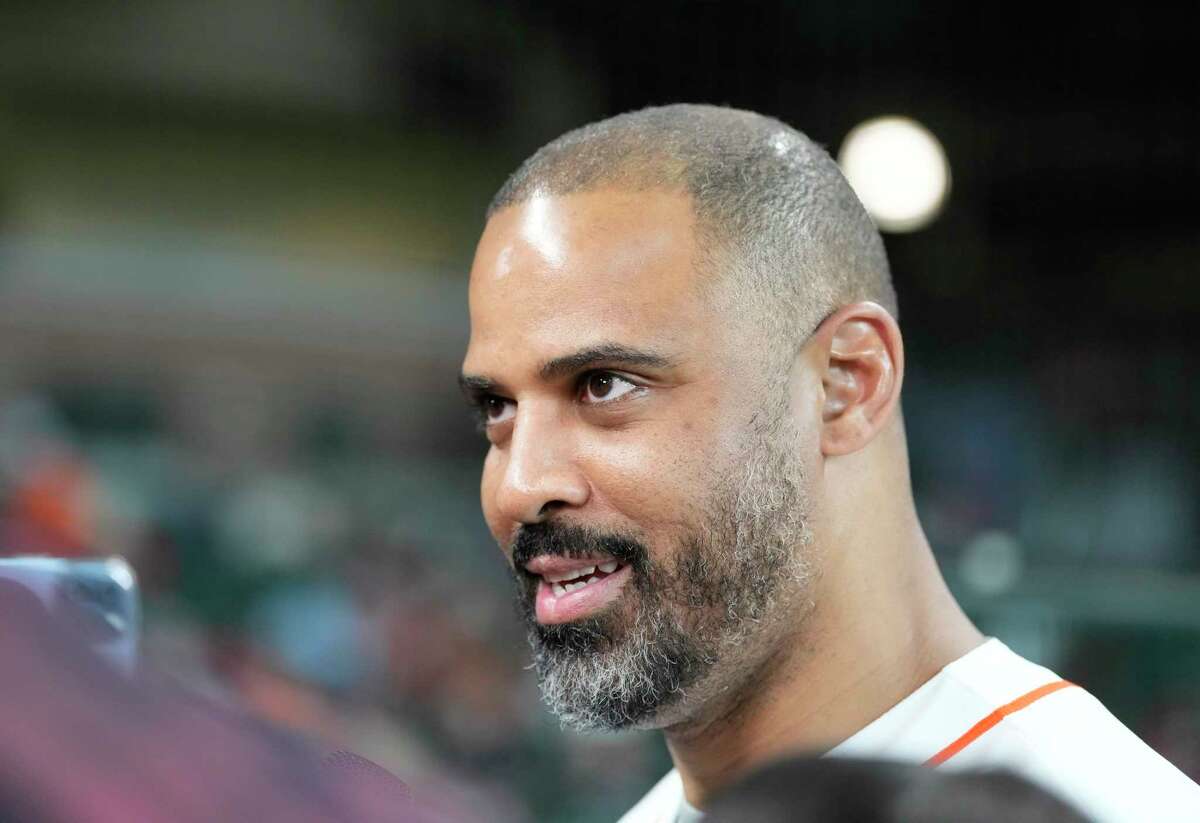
(1051, 732)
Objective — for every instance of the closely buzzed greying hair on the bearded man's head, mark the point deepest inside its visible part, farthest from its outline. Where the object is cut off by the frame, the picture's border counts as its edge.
(776, 220)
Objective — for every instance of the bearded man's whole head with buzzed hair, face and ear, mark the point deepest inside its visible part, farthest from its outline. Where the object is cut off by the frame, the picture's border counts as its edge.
(670, 338)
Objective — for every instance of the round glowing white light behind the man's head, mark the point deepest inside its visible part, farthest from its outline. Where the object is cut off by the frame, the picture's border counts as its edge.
(899, 172)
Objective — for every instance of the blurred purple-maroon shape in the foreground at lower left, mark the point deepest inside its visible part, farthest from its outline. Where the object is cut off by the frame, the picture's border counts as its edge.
(83, 744)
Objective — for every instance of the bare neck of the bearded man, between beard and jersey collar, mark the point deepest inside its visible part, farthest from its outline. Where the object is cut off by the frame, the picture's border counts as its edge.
(859, 653)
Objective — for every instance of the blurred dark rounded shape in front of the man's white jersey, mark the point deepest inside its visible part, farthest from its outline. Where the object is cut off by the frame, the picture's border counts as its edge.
(819, 791)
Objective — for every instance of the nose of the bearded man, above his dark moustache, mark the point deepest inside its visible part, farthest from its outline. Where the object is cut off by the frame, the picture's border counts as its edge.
(541, 476)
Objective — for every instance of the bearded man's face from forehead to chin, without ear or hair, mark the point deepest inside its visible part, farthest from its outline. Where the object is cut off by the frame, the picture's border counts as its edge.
(643, 477)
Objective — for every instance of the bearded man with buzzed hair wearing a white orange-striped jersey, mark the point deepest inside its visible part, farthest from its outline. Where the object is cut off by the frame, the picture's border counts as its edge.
(686, 357)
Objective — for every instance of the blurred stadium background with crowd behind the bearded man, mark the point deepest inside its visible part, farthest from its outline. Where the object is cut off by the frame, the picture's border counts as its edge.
(235, 241)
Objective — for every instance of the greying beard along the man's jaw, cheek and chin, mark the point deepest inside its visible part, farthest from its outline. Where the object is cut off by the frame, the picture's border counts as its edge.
(695, 622)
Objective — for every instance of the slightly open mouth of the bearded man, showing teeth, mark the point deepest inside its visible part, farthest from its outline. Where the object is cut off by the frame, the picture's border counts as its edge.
(574, 588)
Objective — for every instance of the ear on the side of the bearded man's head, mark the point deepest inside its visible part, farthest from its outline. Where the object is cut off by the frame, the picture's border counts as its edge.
(862, 368)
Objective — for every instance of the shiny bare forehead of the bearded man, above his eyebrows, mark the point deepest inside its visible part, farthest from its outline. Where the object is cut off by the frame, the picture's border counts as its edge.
(555, 274)
